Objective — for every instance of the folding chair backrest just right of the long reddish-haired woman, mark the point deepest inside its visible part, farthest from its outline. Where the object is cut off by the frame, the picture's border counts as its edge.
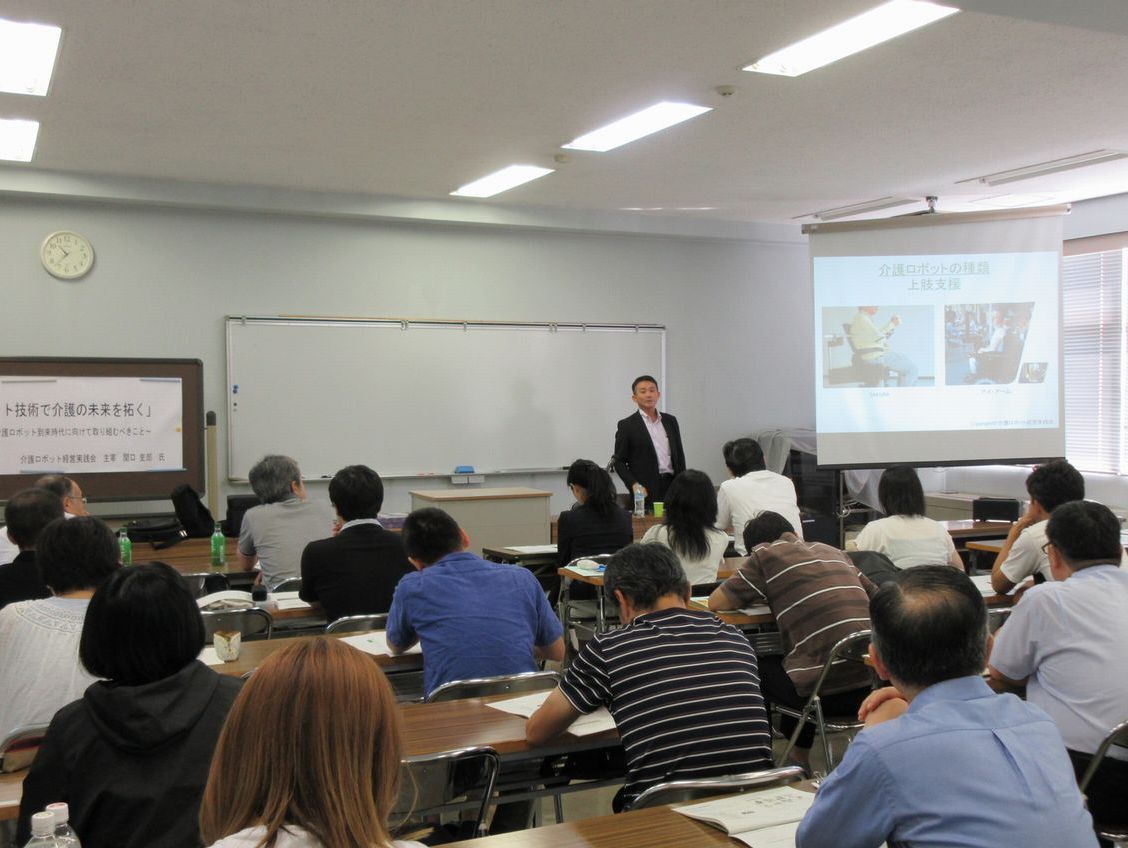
(431, 782)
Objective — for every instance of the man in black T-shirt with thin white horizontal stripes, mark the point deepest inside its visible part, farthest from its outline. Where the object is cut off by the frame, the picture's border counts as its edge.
(682, 686)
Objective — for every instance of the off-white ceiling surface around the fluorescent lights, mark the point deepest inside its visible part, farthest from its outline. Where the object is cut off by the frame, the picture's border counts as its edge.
(413, 99)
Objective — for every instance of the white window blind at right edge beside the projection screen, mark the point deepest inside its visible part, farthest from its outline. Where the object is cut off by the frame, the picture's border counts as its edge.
(1094, 316)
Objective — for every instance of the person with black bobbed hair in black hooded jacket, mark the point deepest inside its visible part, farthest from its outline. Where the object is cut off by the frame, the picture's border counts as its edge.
(131, 756)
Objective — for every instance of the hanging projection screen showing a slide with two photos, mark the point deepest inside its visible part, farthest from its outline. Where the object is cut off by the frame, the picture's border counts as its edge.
(939, 340)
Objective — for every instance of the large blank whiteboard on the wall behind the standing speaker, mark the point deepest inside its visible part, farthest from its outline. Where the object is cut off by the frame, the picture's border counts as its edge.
(412, 399)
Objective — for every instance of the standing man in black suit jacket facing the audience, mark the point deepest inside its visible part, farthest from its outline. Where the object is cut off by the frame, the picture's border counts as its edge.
(646, 454)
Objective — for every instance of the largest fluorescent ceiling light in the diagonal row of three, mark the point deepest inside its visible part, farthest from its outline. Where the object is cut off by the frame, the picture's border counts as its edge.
(868, 30)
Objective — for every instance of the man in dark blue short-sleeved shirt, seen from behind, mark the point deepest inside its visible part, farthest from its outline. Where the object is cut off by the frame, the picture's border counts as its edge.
(475, 620)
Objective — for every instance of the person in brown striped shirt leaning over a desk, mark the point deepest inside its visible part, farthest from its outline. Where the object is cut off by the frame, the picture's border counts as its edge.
(818, 598)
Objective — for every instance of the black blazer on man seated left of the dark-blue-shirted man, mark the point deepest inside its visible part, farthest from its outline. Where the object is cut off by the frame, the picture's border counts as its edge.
(354, 573)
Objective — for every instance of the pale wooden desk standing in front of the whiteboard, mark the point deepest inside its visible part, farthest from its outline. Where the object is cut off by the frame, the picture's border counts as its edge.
(493, 517)
